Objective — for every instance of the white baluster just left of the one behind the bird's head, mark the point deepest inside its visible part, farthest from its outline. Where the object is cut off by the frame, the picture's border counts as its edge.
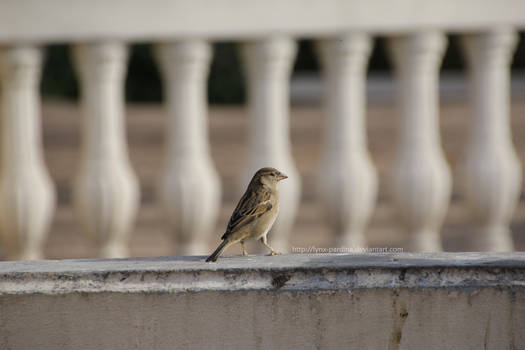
(190, 187)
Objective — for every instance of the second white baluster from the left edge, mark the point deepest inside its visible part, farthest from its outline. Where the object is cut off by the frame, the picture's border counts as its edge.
(106, 192)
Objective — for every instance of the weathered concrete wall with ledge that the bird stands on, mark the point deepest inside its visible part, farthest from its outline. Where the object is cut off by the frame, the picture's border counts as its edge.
(380, 301)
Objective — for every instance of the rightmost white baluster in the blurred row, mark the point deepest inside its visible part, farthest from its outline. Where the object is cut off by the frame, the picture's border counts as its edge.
(492, 169)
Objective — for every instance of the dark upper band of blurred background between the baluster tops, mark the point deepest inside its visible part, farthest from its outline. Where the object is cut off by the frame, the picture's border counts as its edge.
(226, 80)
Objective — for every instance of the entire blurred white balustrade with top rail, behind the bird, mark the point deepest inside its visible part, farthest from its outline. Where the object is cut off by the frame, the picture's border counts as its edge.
(106, 189)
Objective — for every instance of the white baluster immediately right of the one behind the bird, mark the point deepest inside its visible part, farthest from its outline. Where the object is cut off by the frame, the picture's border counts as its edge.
(347, 178)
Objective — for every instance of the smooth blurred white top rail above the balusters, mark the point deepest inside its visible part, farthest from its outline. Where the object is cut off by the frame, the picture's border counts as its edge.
(74, 20)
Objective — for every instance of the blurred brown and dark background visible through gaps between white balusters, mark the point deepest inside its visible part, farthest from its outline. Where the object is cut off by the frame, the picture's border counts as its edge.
(228, 123)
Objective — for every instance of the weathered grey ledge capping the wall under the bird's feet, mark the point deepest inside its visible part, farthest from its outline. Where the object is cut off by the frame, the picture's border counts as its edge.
(285, 272)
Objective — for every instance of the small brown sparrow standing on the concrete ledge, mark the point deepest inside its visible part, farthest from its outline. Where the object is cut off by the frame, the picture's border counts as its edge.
(255, 214)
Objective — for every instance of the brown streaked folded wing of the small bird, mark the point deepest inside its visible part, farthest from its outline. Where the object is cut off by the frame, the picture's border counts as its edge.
(251, 206)
